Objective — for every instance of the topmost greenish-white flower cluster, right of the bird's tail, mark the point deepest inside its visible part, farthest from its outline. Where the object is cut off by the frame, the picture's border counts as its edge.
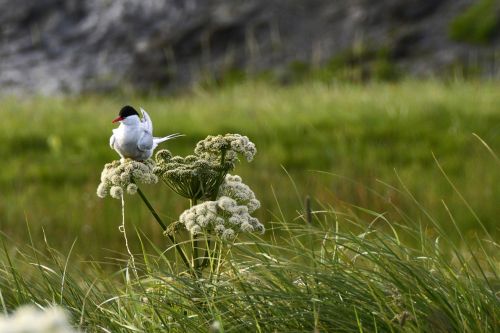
(230, 144)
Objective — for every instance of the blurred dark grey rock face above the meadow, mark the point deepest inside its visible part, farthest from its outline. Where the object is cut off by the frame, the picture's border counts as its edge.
(71, 46)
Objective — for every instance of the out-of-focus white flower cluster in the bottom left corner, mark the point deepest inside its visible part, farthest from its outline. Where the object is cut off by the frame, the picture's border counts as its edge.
(29, 319)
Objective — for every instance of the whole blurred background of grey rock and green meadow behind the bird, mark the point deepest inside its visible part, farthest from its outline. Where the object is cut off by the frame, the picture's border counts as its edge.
(356, 103)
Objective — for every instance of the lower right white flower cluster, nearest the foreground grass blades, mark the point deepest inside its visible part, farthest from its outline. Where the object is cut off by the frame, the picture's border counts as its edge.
(228, 215)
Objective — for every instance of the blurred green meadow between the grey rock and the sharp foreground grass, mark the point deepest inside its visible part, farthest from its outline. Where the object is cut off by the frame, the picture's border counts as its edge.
(344, 146)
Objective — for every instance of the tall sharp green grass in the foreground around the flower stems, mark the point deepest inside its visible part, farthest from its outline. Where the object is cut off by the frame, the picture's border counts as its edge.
(321, 270)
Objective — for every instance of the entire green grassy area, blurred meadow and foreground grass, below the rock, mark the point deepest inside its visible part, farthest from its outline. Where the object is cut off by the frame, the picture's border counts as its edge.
(401, 233)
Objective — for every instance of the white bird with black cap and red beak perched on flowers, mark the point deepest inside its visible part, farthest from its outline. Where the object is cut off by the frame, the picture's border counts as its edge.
(133, 138)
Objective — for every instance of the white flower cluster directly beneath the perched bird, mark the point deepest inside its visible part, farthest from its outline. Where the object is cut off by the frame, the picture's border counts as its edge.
(122, 175)
